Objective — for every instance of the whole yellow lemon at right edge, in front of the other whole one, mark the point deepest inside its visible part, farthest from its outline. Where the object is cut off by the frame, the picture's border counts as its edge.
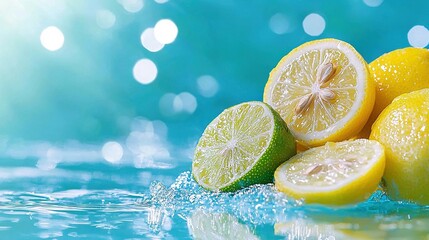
(403, 129)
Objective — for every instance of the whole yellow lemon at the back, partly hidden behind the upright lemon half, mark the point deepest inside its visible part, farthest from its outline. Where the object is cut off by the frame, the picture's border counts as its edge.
(397, 72)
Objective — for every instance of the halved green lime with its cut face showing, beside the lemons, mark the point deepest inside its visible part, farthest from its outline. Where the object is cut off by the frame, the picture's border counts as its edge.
(242, 146)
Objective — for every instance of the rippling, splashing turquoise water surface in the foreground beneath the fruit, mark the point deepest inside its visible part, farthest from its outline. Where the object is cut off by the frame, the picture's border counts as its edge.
(185, 211)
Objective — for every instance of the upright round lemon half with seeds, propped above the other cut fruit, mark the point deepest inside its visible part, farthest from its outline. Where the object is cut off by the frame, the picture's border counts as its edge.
(323, 91)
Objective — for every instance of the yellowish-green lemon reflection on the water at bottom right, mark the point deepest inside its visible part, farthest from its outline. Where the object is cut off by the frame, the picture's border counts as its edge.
(341, 227)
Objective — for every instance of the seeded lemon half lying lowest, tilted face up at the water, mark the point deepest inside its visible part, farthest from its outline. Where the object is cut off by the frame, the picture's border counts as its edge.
(334, 174)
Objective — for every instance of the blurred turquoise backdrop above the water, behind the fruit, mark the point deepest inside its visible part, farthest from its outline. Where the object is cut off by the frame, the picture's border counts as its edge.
(84, 94)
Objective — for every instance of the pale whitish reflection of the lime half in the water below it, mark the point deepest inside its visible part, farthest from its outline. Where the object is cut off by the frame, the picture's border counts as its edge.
(205, 225)
